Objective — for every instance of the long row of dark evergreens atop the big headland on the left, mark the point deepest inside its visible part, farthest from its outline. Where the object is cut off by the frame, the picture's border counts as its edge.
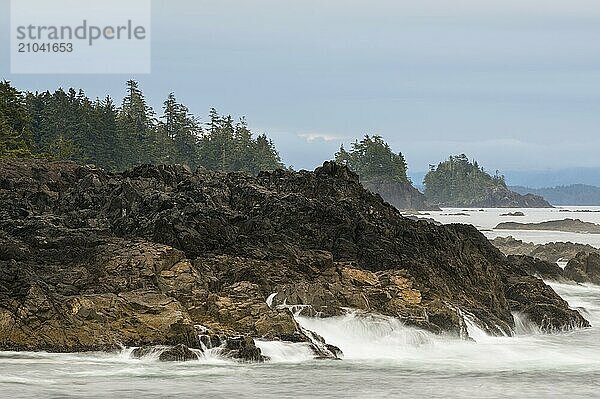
(68, 125)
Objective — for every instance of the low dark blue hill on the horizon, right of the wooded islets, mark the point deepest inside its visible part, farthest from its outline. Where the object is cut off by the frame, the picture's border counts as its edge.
(574, 194)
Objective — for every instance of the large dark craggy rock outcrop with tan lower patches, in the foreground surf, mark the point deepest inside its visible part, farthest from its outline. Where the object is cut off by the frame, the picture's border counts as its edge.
(159, 255)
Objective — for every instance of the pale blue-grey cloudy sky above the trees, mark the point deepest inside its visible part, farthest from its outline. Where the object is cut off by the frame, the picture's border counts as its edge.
(513, 84)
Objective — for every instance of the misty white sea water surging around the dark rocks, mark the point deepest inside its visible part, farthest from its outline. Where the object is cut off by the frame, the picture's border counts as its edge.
(383, 358)
